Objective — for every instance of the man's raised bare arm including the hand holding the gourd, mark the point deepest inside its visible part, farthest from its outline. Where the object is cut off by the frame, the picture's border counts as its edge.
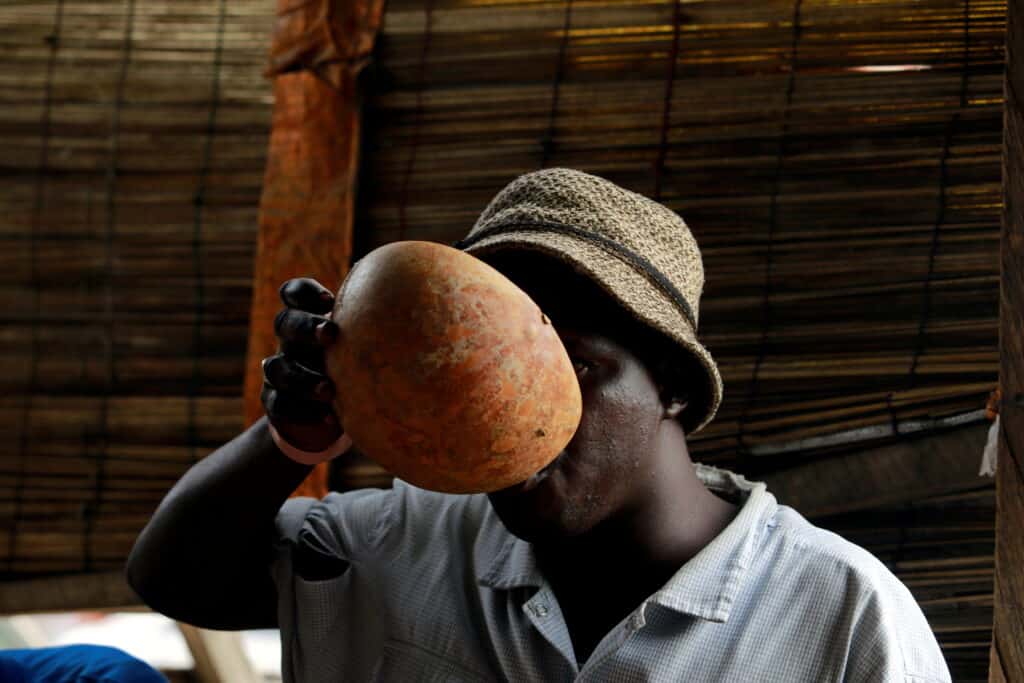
(205, 557)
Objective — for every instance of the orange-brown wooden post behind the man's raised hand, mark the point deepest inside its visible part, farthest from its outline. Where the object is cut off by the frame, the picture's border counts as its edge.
(307, 208)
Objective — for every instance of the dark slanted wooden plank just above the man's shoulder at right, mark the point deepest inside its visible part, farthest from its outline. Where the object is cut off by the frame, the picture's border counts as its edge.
(909, 471)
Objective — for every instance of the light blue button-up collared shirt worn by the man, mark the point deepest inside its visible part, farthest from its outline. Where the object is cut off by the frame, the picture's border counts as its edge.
(439, 590)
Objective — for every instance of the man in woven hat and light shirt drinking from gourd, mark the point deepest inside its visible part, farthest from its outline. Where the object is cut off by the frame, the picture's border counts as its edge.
(621, 562)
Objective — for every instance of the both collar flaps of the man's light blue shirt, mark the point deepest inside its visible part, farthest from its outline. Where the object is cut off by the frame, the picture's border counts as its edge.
(706, 587)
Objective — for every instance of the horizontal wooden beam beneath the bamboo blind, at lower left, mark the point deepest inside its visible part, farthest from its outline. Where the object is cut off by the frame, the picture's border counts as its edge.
(96, 591)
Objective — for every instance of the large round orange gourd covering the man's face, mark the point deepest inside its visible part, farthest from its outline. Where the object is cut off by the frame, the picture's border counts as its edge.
(448, 374)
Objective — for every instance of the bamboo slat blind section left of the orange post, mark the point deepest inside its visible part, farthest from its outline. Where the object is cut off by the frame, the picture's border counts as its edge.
(135, 136)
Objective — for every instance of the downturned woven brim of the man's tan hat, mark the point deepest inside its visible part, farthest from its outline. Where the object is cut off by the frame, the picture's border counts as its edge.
(632, 290)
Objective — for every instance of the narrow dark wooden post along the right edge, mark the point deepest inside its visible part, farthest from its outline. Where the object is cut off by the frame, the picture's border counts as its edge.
(1008, 632)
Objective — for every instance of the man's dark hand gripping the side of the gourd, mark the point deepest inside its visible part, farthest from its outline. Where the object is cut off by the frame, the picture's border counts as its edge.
(297, 394)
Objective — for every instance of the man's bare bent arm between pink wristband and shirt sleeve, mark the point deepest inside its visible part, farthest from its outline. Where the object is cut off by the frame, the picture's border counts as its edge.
(204, 557)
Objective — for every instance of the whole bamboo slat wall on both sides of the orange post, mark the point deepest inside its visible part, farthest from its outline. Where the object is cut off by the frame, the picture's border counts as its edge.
(848, 215)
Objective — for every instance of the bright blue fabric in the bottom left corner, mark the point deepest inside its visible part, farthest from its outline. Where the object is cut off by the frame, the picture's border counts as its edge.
(75, 664)
